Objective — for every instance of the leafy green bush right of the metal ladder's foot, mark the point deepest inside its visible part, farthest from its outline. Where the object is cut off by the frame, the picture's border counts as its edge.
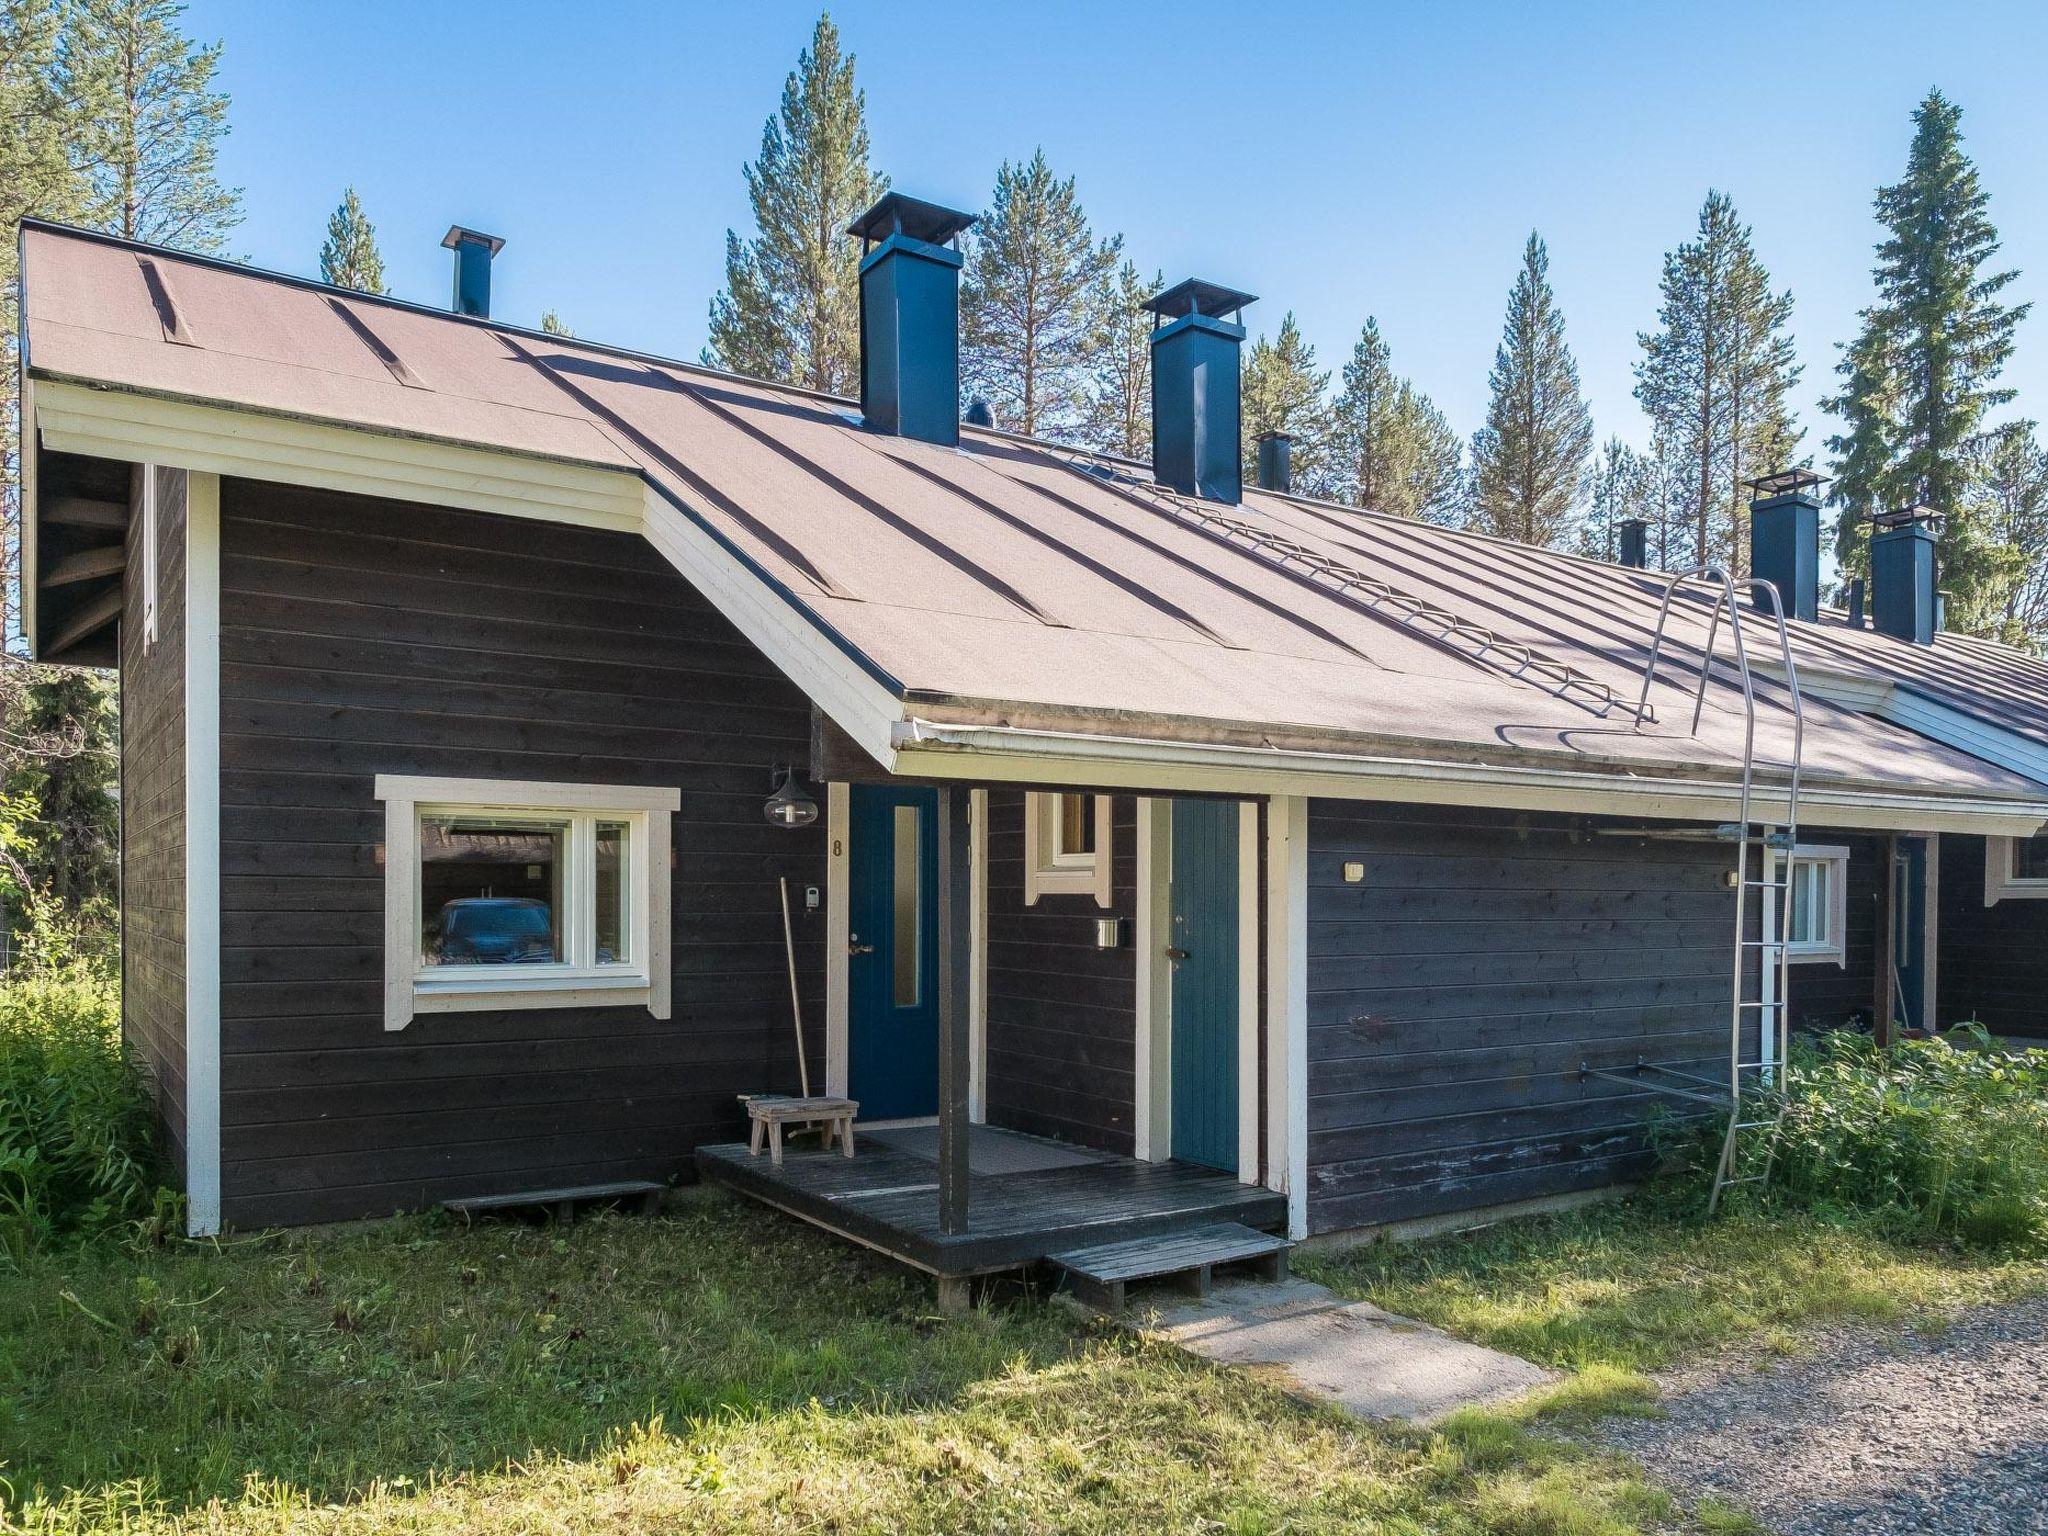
(1930, 1140)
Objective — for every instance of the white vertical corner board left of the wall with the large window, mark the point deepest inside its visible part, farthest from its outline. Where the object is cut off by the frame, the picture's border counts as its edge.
(202, 853)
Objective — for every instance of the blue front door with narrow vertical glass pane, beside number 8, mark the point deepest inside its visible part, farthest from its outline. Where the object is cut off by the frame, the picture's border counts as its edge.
(892, 970)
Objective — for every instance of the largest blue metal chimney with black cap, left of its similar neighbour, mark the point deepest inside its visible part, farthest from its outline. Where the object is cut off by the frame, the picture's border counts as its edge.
(910, 318)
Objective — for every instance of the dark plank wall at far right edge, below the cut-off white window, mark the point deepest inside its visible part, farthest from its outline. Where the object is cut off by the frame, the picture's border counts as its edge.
(1994, 962)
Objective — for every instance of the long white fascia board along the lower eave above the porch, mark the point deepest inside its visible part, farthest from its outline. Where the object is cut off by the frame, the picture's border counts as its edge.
(1013, 755)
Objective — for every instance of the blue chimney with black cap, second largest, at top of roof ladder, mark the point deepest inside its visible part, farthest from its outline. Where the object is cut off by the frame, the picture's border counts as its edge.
(1197, 415)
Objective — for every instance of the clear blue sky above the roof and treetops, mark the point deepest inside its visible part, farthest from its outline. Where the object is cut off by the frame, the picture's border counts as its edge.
(1338, 161)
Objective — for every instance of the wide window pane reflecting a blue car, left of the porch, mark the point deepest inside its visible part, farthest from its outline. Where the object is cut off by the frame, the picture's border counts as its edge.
(490, 890)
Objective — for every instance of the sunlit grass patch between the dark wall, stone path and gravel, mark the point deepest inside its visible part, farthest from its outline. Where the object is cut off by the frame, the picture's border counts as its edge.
(1625, 1287)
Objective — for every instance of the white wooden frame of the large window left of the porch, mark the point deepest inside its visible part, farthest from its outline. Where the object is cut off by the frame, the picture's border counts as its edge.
(640, 982)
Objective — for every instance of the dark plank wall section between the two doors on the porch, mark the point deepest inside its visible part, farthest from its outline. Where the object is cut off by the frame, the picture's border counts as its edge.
(1062, 1013)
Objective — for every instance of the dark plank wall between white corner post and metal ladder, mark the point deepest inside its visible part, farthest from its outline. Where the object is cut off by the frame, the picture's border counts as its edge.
(1455, 992)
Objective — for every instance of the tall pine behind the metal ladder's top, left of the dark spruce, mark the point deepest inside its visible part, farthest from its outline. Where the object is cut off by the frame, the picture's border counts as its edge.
(1717, 376)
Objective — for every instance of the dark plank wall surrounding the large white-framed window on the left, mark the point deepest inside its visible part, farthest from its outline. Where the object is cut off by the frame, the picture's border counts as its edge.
(364, 638)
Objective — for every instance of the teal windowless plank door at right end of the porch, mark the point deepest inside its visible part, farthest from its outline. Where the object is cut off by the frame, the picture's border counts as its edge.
(1203, 949)
